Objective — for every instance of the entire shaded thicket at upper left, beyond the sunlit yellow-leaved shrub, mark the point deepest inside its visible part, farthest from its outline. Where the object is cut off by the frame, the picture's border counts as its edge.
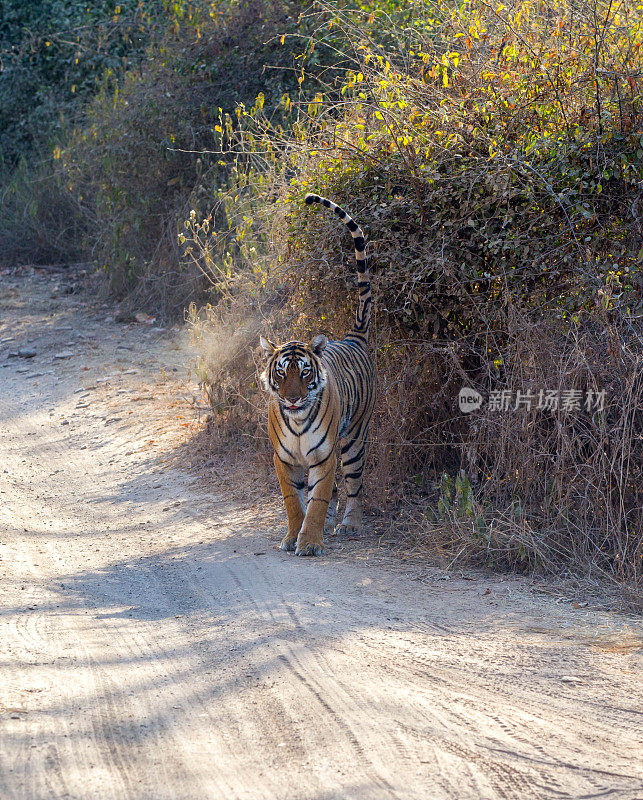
(114, 104)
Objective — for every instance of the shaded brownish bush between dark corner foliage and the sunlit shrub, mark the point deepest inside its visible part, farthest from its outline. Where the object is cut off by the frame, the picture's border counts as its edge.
(147, 151)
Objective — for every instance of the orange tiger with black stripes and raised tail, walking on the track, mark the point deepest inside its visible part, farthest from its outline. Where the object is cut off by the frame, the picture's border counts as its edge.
(321, 398)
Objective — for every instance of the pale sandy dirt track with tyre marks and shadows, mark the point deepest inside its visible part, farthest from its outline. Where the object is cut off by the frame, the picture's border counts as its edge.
(155, 644)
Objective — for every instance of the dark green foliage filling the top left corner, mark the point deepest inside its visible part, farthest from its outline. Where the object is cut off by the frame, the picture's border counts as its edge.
(54, 55)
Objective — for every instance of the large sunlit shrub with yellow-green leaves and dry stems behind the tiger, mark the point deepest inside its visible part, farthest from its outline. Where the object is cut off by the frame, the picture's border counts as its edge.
(497, 172)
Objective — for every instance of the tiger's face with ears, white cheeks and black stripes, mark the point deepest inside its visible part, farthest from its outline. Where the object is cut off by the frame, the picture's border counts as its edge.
(294, 374)
